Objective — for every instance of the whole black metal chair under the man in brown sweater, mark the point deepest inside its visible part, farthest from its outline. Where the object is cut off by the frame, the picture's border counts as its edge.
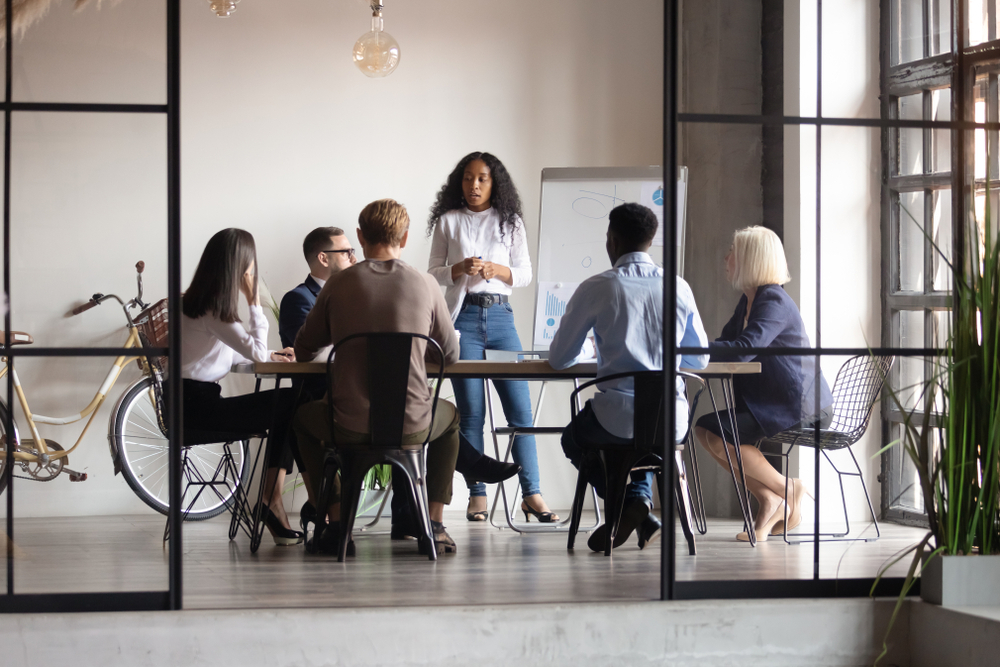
(388, 369)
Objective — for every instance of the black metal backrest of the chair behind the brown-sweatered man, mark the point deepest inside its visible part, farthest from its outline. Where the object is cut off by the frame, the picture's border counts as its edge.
(388, 371)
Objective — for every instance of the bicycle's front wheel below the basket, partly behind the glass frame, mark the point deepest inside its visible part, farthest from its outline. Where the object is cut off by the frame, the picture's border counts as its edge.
(144, 451)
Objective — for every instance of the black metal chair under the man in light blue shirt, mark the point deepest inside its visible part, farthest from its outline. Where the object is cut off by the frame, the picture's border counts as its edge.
(617, 461)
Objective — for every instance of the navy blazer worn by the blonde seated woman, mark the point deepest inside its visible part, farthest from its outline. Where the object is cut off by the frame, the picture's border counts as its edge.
(783, 394)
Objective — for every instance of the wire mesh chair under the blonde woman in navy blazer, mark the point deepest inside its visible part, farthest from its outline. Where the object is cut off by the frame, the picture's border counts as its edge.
(858, 385)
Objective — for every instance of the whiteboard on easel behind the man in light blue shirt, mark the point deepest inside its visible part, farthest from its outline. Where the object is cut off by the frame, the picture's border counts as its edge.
(572, 228)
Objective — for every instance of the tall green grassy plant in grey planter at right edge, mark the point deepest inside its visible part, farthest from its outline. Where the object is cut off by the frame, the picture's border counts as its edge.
(959, 558)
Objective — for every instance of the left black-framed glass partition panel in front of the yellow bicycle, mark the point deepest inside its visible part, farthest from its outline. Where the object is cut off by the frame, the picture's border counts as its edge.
(91, 186)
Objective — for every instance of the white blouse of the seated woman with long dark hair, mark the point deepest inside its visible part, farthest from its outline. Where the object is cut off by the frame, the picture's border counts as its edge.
(210, 347)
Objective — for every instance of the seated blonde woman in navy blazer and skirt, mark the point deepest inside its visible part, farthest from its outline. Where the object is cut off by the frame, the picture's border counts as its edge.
(782, 395)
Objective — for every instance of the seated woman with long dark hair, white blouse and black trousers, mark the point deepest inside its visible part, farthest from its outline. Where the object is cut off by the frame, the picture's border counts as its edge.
(212, 340)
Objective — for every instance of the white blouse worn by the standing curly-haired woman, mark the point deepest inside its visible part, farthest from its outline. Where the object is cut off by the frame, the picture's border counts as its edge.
(463, 233)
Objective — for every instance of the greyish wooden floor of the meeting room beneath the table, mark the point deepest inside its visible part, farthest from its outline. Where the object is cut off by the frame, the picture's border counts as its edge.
(125, 553)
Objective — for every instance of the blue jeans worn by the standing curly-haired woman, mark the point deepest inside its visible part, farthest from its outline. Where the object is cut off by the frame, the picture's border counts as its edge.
(493, 329)
